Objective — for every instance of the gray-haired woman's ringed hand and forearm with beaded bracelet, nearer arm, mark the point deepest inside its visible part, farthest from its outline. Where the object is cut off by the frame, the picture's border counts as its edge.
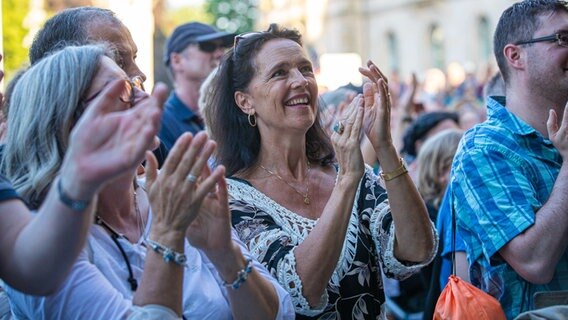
(175, 202)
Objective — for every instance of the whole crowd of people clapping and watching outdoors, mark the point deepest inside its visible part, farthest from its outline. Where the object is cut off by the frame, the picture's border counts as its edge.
(248, 194)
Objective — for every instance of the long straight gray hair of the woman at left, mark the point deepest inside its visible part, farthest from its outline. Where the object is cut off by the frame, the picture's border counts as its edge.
(45, 105)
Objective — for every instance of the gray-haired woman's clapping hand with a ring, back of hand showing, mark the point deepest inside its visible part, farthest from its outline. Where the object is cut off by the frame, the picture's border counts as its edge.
(177, 192)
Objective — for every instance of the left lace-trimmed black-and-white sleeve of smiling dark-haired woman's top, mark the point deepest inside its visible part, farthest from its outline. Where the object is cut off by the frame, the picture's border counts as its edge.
(270, 245)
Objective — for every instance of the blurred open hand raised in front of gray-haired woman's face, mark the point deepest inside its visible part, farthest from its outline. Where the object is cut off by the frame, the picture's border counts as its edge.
(108, 141)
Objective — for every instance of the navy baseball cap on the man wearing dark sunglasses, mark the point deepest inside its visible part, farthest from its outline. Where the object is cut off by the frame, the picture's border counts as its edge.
(194, 32)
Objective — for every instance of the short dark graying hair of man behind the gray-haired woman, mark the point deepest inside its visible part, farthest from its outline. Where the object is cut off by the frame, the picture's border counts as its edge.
(68, 27)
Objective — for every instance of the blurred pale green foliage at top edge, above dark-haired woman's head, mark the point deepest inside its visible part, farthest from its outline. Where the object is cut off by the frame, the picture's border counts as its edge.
(234, 16)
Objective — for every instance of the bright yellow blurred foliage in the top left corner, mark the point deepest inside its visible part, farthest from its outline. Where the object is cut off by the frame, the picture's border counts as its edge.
(13, 29)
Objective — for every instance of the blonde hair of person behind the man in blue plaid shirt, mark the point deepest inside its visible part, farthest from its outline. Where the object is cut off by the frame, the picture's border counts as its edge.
(434, 159)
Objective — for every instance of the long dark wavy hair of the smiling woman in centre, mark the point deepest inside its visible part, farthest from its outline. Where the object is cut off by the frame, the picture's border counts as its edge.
(239, 143)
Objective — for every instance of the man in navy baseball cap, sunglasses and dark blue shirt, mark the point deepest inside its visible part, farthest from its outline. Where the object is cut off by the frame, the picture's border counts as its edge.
(192, 52)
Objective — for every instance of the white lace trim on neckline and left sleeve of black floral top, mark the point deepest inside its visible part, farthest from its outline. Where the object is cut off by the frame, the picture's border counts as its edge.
(297, 229)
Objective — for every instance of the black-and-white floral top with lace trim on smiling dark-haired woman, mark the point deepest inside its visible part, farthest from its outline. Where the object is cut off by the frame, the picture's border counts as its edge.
(355, 290)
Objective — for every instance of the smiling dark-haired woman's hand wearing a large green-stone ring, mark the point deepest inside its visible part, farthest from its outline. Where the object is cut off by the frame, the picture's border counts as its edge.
(346, 139)
